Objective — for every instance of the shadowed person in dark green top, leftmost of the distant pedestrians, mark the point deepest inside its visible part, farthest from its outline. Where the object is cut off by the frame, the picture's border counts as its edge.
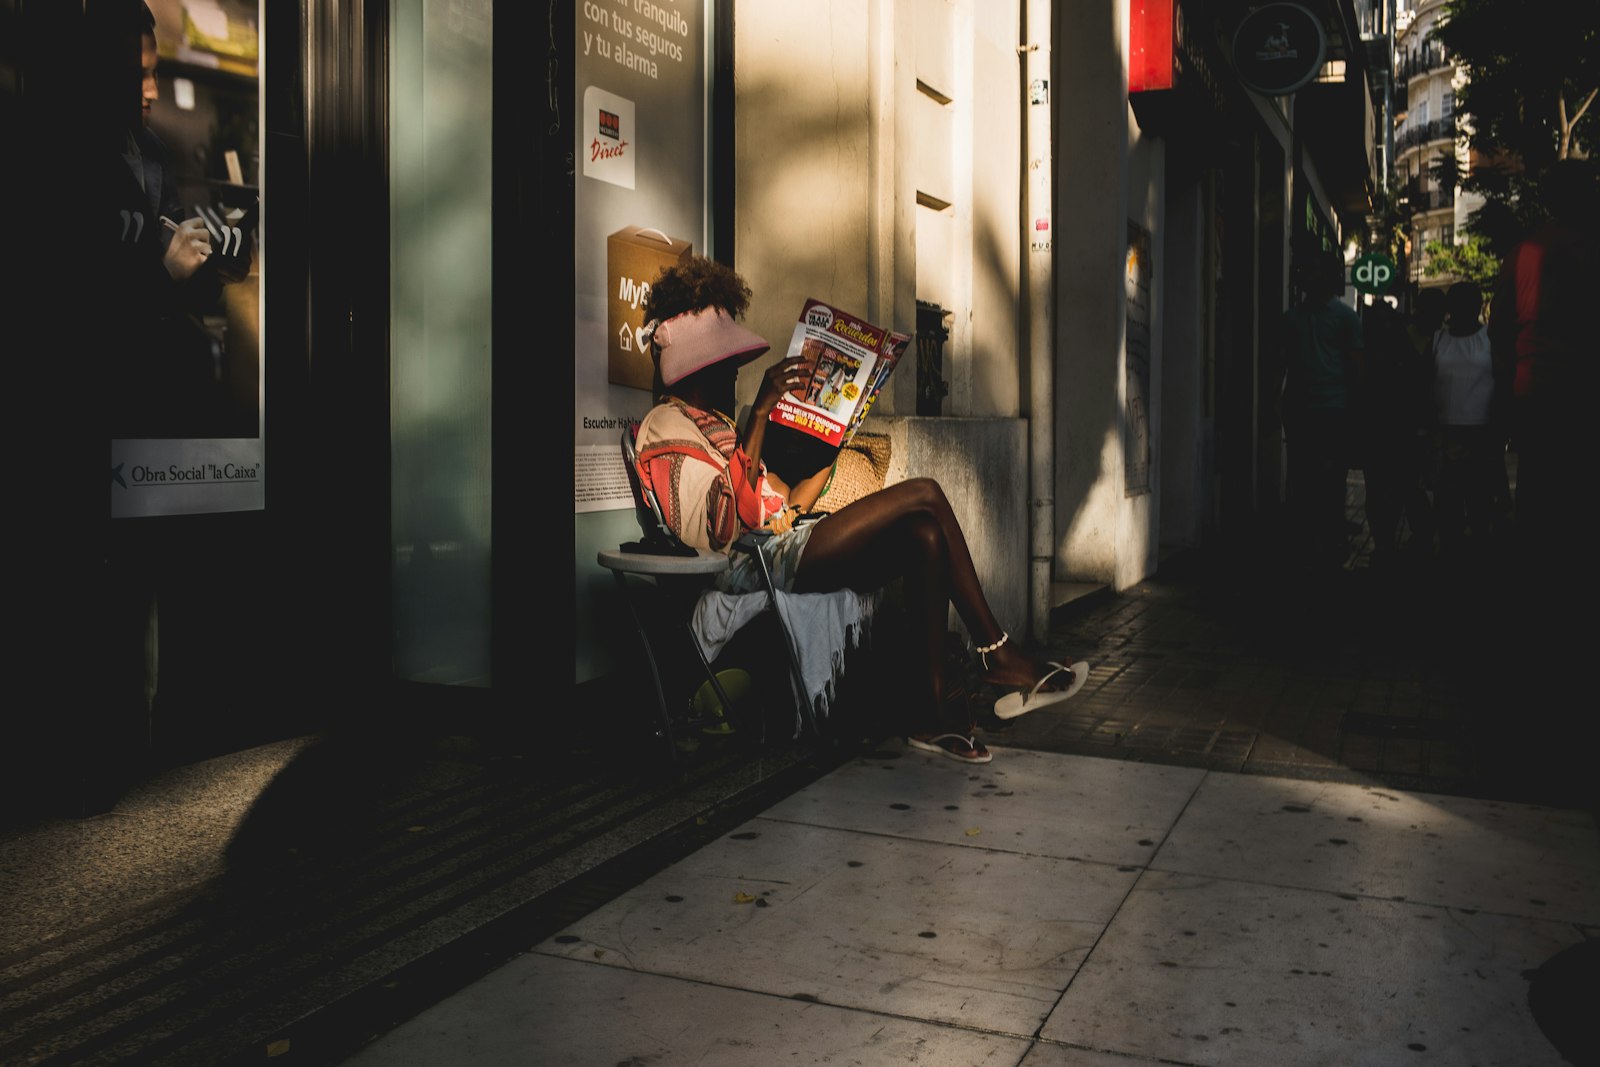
(1322, 366)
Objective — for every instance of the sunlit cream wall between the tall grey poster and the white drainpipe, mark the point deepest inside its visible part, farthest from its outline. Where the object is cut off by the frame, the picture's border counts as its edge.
(834, 142)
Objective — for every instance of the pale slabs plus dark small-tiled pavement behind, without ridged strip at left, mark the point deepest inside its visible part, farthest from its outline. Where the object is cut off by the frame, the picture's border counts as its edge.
(1287, 823)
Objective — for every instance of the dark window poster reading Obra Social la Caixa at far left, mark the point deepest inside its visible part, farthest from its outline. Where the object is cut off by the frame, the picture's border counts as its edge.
(183, 207)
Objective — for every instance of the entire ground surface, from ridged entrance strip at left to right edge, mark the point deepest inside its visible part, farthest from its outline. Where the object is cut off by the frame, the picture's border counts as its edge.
(1286, 823)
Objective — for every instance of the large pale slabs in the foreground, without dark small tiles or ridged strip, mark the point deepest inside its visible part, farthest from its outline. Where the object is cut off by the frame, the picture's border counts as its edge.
(1052, 909)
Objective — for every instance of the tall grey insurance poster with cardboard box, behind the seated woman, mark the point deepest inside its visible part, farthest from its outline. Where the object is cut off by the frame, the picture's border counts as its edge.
(639, 206)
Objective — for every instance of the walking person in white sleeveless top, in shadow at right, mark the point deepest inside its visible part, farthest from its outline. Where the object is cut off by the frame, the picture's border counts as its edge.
(1468, 412)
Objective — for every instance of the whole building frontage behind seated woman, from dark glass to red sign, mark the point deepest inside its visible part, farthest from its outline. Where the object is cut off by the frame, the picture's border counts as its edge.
(1094, 206)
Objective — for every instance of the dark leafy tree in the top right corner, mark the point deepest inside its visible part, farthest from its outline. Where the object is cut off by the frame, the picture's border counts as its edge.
(1534, 73)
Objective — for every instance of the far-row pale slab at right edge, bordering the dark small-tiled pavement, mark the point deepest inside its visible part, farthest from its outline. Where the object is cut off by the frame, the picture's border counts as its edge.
(1521, 860)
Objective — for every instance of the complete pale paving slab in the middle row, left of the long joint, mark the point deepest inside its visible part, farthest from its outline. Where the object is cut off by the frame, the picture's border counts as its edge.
(945, 933)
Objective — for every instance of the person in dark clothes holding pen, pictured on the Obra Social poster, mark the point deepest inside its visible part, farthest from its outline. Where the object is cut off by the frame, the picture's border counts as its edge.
(167, 377)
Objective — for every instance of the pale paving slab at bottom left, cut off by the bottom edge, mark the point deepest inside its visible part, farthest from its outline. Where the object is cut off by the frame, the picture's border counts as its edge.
(542, 1010)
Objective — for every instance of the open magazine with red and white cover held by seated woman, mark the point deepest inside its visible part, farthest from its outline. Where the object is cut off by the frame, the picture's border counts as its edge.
(850, 359)
